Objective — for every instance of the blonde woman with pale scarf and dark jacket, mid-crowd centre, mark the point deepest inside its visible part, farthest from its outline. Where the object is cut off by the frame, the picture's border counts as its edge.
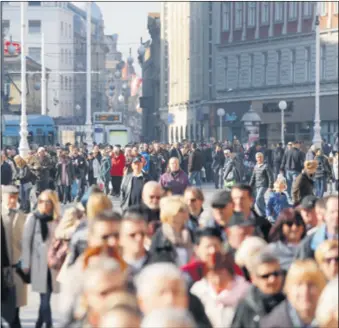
(172, 242)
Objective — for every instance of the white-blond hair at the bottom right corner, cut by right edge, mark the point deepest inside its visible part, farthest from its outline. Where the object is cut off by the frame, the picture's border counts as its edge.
(327, 304)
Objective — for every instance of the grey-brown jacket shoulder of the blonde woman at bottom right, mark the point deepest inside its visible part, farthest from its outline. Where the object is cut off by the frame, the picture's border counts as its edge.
(278, 318)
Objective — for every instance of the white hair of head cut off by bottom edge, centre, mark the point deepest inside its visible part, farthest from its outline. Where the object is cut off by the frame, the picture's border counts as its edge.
(168, 318)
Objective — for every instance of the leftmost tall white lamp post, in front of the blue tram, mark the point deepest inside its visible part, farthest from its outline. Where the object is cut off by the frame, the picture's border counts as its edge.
(23, 146)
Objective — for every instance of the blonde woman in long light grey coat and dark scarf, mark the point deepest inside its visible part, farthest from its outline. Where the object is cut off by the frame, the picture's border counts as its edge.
(36, 240)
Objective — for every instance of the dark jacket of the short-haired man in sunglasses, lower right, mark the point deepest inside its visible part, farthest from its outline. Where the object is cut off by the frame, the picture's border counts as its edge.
(253, 307)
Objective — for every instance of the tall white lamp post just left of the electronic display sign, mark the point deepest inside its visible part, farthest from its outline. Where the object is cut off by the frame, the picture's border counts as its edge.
(89, 140)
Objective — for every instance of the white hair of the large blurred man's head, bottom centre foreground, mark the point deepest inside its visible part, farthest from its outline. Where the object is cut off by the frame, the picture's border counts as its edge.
(144, 281)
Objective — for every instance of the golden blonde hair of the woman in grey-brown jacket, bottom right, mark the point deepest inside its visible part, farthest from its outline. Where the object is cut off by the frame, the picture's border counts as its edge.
(306, 270)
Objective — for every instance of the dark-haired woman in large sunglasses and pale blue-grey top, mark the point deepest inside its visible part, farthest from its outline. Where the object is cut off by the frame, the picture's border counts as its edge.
(285, 236)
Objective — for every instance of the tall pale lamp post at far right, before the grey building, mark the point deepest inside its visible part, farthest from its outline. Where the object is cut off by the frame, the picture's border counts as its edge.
(317, 127)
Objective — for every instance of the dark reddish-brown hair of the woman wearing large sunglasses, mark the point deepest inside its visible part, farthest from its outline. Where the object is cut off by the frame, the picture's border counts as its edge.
(286, 215)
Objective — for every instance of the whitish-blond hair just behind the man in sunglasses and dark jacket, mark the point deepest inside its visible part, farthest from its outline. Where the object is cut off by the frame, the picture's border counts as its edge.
(247, 249)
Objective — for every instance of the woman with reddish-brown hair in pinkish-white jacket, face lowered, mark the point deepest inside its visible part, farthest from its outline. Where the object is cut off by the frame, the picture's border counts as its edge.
(220, 290)
